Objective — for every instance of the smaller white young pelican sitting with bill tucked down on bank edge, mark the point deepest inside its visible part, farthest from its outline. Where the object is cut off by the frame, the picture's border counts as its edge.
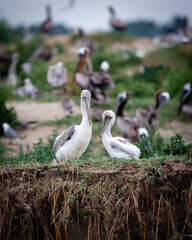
(117, 147)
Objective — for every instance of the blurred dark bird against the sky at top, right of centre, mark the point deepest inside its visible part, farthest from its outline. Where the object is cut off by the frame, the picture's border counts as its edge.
(116, 24)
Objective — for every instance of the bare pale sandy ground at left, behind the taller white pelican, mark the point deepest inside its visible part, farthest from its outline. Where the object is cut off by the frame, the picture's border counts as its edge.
(40, 112)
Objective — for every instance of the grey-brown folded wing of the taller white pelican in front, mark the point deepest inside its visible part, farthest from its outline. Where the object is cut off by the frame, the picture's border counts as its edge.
(63, 138)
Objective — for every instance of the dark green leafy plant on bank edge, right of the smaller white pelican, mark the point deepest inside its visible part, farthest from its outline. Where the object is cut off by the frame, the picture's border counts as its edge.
(176, 146)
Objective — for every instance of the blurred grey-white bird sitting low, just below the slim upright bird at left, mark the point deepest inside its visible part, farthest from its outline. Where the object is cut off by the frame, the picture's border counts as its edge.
(28, 90)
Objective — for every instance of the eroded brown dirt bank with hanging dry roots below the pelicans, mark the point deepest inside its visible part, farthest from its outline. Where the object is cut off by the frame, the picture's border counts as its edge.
(125, 202)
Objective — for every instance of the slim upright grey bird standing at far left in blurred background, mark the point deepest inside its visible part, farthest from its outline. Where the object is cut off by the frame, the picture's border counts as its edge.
(12, 73)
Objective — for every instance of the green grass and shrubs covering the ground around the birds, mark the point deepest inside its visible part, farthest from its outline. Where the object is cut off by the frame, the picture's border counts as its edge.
(165, 69)
